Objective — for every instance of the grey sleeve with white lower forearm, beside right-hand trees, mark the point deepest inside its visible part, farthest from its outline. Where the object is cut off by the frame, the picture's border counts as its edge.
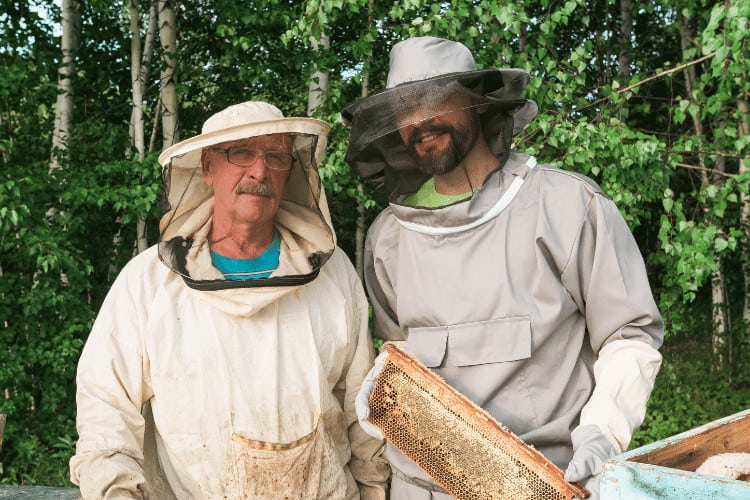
(624, 324)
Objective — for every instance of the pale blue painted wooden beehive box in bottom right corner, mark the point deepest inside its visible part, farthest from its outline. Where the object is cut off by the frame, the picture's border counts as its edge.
(666, 469)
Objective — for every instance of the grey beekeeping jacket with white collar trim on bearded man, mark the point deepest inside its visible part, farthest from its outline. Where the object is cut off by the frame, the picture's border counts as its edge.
(529, 312)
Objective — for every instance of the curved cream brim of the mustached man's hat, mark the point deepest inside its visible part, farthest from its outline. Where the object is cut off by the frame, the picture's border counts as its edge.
(186, 154)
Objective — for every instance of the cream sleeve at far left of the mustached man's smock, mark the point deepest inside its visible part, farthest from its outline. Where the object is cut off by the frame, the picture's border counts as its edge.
(110, 393)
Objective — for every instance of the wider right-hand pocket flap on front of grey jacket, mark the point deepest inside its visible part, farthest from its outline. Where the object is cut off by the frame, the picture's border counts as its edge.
(493, 341)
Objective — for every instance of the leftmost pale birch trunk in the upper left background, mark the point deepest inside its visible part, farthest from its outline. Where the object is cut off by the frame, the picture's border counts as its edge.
(71, 27)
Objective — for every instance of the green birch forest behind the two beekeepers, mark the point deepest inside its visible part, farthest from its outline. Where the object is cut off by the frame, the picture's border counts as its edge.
(650, 99)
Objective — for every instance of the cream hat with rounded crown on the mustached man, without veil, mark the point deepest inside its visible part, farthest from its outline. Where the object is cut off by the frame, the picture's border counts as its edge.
(240, 121)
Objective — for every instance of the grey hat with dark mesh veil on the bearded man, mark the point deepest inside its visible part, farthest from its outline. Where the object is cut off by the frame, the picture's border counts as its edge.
(422, 71)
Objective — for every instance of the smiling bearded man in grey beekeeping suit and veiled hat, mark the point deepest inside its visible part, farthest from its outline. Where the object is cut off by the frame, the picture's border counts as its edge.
(518, 283)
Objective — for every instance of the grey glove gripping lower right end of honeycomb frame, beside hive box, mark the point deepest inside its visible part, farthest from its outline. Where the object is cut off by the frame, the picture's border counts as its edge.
(590, 450)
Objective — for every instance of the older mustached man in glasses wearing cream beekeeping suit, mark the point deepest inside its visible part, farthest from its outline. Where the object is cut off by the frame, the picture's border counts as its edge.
(225, 360)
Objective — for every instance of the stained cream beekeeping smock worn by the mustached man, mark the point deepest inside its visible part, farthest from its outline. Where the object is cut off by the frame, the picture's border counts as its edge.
(215, 367)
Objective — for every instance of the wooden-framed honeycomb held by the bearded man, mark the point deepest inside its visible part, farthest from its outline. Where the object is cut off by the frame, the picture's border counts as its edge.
(458, 444)
